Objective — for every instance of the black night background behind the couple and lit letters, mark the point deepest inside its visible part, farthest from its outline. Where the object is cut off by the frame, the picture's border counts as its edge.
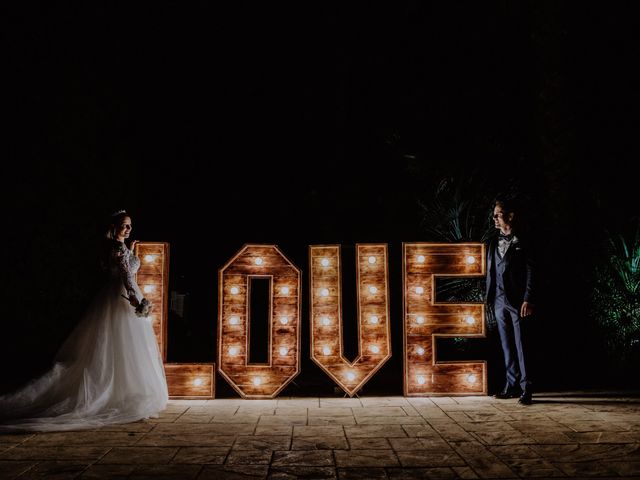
(216, 126)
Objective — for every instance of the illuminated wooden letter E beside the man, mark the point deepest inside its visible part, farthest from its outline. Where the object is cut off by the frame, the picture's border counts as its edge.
(425, 319)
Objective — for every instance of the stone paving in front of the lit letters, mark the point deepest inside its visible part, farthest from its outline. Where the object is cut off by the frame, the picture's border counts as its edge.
(369, 438)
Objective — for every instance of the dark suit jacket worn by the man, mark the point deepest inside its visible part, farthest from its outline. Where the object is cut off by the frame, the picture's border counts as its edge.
(519, 272)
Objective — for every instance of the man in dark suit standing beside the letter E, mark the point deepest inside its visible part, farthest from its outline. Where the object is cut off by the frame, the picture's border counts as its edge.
(510, 279)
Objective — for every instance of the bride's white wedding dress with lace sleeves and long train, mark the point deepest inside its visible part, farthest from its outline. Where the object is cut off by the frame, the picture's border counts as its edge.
(108, 371)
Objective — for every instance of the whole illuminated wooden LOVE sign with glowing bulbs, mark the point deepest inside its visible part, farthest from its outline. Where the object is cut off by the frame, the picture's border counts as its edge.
(424, 319)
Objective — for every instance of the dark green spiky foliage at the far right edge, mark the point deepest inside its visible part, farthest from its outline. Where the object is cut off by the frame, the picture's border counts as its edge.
(615, 297)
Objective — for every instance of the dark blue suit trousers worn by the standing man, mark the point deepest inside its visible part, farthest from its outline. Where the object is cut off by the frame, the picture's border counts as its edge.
(513, 331)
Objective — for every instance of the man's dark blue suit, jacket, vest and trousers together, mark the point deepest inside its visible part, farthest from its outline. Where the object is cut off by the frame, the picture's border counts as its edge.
(510, 282)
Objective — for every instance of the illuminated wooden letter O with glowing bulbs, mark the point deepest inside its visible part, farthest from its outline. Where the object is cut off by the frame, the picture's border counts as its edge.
(248, 379)
